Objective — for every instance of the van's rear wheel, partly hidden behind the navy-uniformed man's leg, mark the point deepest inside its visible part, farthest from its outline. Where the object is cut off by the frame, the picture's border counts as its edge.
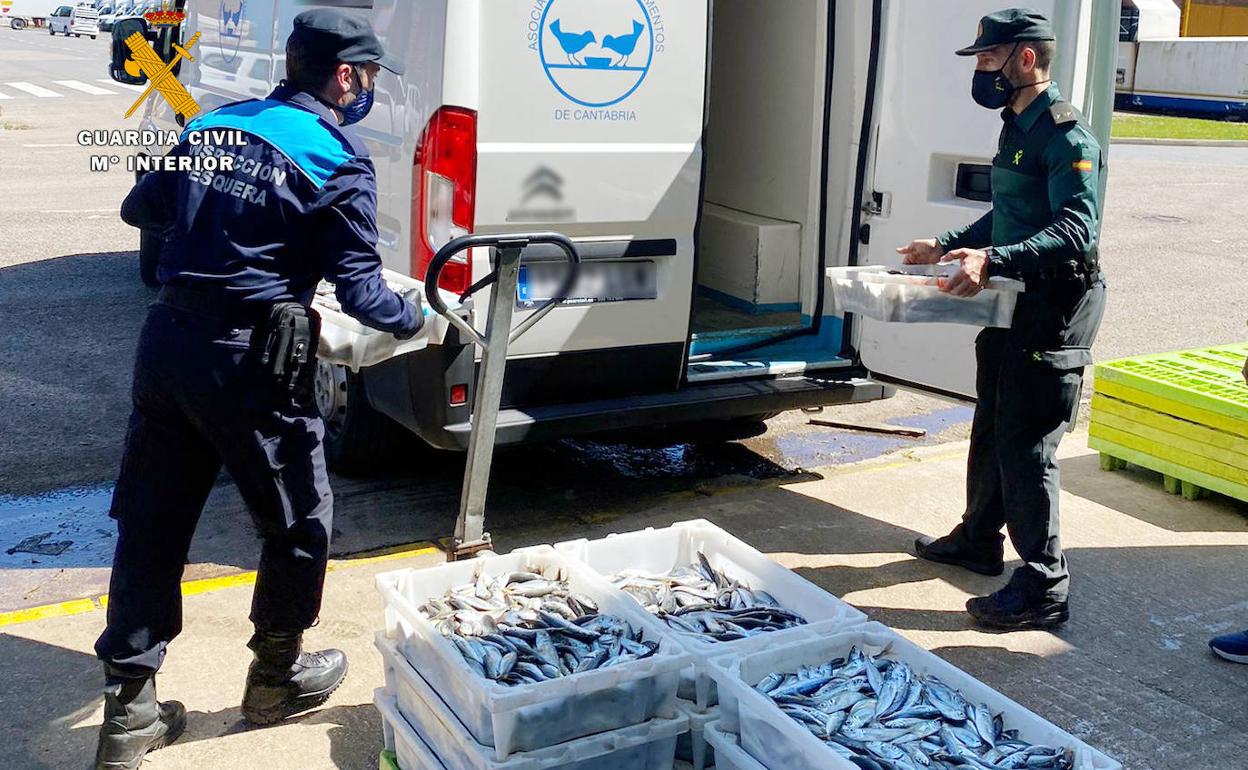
(359, 440)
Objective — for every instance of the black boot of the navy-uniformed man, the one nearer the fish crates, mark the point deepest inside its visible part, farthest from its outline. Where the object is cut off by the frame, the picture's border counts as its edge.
(284, 681)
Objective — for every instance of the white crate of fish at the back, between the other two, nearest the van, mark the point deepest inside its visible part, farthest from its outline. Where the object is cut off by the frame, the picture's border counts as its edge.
(714, 592)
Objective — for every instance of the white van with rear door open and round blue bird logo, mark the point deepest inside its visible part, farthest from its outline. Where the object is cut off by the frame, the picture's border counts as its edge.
(712, 159)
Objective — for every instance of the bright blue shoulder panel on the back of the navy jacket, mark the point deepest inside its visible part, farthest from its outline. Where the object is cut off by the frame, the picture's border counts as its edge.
(314, 147)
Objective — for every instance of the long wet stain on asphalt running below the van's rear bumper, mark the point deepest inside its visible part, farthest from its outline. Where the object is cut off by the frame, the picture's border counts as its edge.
(573, 479)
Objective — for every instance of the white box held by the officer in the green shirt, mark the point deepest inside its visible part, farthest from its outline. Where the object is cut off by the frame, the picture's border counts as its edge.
(914, 298)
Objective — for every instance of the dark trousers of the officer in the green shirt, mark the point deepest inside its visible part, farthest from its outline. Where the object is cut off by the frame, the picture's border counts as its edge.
(1028, 385)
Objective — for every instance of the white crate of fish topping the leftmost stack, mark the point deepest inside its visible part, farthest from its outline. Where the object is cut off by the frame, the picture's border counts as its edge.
(531, 650)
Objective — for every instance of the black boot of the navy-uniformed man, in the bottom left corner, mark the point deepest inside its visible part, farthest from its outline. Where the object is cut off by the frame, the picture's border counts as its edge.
(135, 723)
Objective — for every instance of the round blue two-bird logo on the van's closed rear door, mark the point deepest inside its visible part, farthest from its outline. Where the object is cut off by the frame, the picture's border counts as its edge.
(597, 53)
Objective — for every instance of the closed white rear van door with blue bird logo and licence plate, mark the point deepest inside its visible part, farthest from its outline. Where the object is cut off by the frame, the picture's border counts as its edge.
(591, 123)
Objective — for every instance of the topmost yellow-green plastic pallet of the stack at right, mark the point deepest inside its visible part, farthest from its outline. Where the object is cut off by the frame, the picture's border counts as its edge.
(1206, 379)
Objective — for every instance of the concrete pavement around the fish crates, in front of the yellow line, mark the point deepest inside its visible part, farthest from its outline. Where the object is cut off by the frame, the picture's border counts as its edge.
(1155, 577)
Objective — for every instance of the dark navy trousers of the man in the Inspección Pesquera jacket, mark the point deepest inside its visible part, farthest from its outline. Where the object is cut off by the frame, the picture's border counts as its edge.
(202, 402)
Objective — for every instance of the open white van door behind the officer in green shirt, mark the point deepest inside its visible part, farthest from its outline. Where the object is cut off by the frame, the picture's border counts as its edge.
(933, 154)
